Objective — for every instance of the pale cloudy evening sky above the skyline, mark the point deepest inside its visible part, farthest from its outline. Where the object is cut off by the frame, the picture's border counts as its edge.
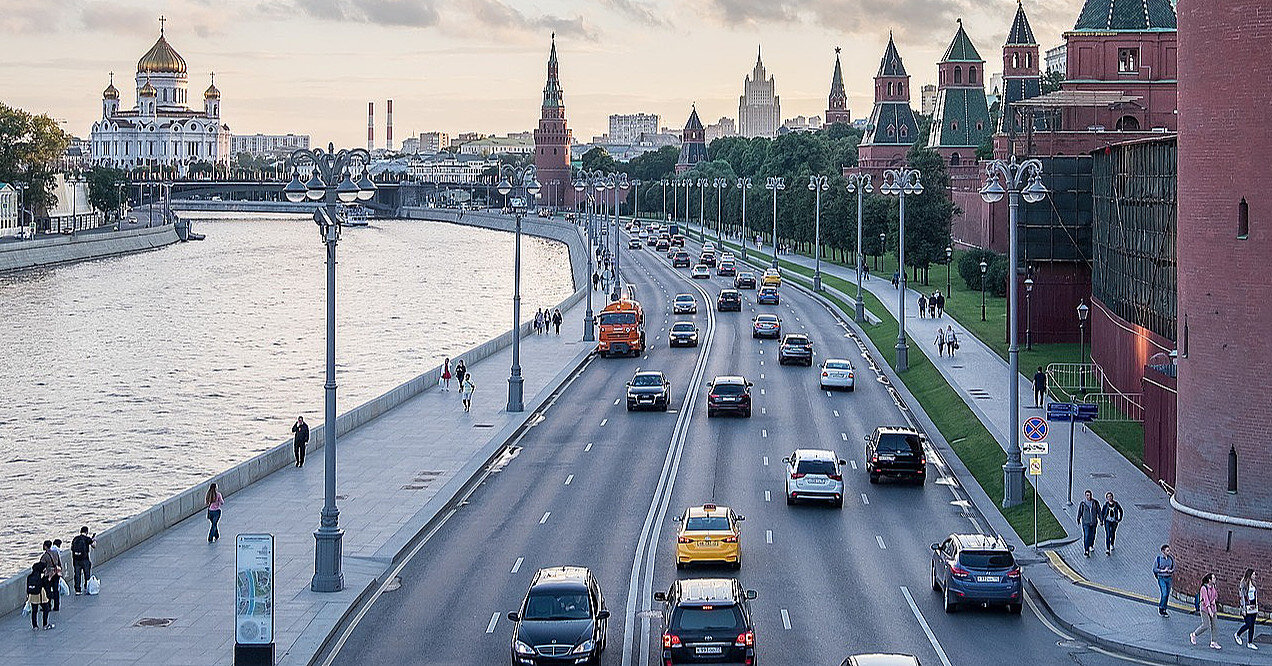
(310, 67)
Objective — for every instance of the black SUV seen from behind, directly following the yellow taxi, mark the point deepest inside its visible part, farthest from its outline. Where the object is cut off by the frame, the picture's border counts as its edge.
(708, 621)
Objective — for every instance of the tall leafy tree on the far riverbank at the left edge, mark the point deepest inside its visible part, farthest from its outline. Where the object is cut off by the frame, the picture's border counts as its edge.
(30, 149)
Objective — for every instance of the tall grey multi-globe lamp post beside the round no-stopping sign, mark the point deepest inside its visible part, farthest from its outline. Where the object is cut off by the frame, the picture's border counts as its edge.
(1025, 181)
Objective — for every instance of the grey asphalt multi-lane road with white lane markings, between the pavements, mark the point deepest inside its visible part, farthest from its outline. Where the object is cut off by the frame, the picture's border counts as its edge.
(597, 486)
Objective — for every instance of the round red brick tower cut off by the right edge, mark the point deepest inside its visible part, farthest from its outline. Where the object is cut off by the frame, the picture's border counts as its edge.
(1224, 250)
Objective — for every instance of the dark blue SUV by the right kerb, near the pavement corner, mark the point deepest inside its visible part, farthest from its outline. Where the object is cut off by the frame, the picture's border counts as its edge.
(976, 569)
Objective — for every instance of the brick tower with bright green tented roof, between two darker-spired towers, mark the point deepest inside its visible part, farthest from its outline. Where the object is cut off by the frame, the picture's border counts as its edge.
(961, 121)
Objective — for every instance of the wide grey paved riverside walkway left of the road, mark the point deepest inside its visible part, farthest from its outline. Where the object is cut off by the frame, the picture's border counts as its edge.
(171, 601)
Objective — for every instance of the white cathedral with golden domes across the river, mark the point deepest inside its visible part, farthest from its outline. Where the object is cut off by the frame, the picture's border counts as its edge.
(161, 129)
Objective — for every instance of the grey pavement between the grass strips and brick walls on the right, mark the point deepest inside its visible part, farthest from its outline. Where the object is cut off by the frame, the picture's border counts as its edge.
(1110, 601)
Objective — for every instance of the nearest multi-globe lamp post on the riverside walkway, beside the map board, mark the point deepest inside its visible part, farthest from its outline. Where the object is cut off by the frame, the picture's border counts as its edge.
(331, 184)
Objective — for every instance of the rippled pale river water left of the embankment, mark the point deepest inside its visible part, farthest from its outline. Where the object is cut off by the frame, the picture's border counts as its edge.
(127, 381)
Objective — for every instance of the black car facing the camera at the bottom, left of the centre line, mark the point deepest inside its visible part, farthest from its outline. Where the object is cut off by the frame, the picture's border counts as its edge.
(563, 620)
